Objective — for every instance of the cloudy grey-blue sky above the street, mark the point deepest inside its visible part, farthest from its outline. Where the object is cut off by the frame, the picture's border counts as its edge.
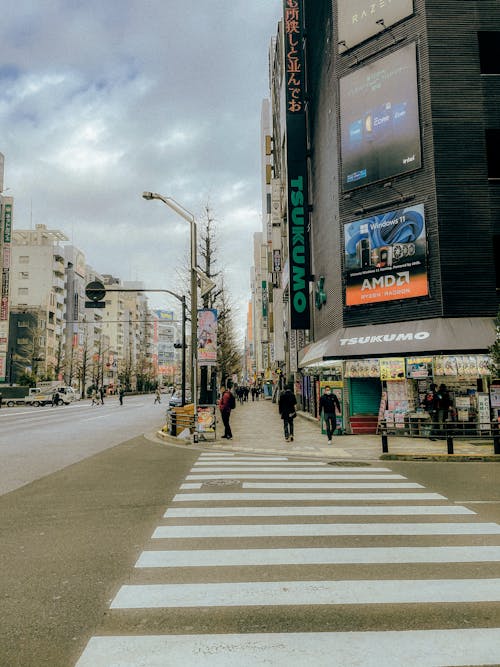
(100, 101)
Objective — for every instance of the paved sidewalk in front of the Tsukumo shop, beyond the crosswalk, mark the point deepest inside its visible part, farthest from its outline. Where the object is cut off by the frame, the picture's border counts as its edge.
(257, 428)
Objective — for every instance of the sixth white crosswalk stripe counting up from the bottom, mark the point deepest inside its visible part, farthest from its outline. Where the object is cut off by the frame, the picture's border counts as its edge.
(300, 496)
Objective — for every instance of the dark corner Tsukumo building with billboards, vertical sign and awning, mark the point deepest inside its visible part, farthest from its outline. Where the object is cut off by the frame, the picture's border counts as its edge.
(385, 135)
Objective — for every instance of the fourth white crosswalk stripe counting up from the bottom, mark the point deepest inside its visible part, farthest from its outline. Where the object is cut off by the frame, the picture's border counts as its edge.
(328, 529)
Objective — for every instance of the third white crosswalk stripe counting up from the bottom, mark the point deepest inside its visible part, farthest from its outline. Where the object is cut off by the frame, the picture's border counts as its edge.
(318, 556)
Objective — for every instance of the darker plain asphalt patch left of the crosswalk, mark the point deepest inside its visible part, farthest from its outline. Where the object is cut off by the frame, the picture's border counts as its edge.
(68, 537)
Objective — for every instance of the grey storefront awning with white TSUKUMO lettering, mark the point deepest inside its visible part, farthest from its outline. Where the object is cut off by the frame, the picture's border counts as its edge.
(433, 336)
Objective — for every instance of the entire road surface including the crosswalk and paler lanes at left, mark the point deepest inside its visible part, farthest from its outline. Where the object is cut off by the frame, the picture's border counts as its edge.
(118, 549)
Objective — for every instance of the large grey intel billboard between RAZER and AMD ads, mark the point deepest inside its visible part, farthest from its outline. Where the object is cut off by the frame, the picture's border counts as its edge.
(379, 120)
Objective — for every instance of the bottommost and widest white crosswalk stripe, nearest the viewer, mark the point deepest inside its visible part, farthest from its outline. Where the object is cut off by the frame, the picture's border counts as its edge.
(416, 648)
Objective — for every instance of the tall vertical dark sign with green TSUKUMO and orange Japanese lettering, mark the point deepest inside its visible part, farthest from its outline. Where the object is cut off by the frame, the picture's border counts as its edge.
(296, 142)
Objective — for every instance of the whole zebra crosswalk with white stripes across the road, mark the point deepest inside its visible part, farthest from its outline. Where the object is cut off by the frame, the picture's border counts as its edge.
(268, 561)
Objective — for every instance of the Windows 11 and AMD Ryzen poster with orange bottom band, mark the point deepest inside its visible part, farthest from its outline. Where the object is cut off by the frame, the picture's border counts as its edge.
(386, 257)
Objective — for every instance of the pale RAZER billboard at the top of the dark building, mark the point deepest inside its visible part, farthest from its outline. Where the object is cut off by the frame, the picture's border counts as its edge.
(357, 19)
